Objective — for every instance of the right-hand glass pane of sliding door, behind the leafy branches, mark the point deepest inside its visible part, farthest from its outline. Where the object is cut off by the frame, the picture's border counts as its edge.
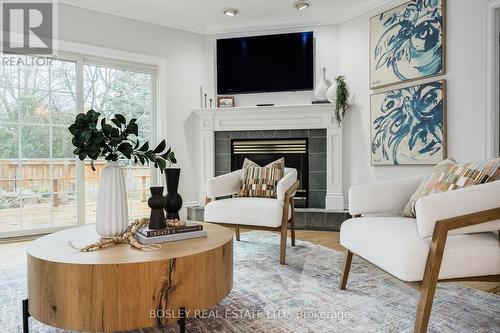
(110, 90)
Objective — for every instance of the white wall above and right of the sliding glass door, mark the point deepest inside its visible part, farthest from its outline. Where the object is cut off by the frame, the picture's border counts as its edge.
(185, 54)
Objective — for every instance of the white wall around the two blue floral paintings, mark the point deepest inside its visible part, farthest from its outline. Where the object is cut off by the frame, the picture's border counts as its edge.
(465, 56)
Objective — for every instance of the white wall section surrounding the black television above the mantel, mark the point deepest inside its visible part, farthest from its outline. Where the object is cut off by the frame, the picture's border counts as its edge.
(326, 55)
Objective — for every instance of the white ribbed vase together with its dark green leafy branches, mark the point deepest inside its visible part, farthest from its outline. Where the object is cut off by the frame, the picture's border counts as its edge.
(114, 141)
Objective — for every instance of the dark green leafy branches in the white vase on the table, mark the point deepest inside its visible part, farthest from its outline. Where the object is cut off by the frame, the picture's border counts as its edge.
(115, 140)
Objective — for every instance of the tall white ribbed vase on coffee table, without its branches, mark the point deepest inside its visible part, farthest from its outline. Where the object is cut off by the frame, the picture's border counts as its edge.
(111, 209)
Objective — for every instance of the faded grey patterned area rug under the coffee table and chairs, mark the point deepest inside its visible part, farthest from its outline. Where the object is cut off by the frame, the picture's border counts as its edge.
(302, 297)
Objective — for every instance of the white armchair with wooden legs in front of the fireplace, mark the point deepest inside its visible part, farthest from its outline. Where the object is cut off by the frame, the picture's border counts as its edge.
(253, 213)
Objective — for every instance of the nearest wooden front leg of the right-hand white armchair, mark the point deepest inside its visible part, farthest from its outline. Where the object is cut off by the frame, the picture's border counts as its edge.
(431, 276)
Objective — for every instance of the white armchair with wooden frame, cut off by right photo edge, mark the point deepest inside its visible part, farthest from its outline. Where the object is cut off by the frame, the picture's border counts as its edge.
(467, 221)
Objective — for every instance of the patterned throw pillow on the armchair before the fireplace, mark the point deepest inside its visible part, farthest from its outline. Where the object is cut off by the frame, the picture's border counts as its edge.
(257, 181)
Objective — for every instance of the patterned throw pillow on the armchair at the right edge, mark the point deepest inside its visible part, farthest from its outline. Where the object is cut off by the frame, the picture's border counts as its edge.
(449, 175)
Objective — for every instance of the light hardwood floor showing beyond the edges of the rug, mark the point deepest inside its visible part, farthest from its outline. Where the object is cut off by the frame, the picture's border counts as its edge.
(14, 253)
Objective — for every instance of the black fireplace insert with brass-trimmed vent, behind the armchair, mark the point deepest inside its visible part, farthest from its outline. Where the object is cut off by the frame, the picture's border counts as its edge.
(263, 151)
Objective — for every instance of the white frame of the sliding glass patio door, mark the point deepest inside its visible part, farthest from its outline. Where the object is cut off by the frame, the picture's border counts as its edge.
(92, 55)
